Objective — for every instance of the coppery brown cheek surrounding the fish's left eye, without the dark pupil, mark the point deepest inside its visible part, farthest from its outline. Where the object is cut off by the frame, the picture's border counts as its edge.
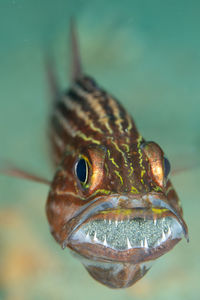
(66, 195)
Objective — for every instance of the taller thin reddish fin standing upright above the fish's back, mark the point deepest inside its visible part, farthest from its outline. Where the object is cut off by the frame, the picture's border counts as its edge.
(76, 69)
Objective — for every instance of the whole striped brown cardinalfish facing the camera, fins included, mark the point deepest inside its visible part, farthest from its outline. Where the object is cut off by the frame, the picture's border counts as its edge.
(111, 200)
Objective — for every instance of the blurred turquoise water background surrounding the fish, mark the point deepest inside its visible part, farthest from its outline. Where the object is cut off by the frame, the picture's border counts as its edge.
(147, 53)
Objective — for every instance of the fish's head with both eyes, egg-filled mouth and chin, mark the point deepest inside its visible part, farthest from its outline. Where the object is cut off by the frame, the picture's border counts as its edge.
(115, 209)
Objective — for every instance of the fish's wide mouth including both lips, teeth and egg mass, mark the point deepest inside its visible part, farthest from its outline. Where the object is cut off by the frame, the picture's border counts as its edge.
(123, 229)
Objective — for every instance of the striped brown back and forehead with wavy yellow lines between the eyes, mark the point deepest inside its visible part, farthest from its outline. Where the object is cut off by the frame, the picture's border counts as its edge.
(86, 115)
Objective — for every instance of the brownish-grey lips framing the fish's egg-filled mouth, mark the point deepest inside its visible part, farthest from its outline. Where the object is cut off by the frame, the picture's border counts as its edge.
(146, 201)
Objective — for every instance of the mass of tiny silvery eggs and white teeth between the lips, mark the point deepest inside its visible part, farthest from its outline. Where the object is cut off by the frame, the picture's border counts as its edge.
(129, 234)
